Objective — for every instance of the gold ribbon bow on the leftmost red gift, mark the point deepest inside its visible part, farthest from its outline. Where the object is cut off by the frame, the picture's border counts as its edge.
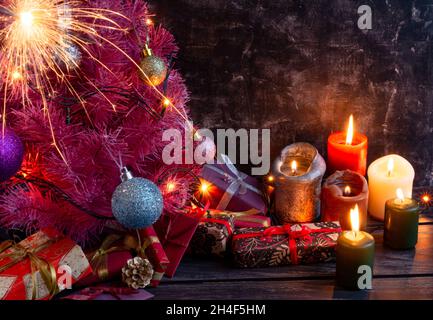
(19, 253)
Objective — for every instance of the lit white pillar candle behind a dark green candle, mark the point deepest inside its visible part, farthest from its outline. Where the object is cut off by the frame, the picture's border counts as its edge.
(385, 175)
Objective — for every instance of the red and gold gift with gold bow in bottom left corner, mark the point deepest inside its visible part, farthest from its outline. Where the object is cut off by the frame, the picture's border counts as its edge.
(35, 267)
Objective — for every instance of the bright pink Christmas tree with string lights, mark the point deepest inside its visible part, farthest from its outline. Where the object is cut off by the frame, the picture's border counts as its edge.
(102, 115)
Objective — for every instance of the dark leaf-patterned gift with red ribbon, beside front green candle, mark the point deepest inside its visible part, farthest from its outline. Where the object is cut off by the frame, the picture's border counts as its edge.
(288, 244)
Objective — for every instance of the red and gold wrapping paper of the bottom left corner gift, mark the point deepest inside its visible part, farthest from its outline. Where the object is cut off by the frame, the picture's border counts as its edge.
(16, 281)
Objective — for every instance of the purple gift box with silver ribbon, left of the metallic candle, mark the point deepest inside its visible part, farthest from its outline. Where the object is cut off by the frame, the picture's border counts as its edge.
(231, 189)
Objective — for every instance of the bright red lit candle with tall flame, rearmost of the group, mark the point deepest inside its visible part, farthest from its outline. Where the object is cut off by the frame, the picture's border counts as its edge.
(347, 150)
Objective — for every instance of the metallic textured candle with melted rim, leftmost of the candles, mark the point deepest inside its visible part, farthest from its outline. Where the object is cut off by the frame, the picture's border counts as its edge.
(297, 193)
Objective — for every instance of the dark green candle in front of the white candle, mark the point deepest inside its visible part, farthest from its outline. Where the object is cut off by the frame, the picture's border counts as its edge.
(401, 222)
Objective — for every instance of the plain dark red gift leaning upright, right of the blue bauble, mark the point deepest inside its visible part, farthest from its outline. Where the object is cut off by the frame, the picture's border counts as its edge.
(175, 232)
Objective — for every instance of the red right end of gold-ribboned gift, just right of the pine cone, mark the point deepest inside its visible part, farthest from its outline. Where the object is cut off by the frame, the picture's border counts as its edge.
(156, 255)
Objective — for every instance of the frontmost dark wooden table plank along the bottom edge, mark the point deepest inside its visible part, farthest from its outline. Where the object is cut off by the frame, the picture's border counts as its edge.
(383, 288)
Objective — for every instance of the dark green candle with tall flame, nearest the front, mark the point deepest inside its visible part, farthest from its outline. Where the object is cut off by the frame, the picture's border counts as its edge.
(354, 249)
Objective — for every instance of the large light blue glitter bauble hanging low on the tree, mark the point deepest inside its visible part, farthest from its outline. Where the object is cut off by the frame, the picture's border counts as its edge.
(137, 202)
